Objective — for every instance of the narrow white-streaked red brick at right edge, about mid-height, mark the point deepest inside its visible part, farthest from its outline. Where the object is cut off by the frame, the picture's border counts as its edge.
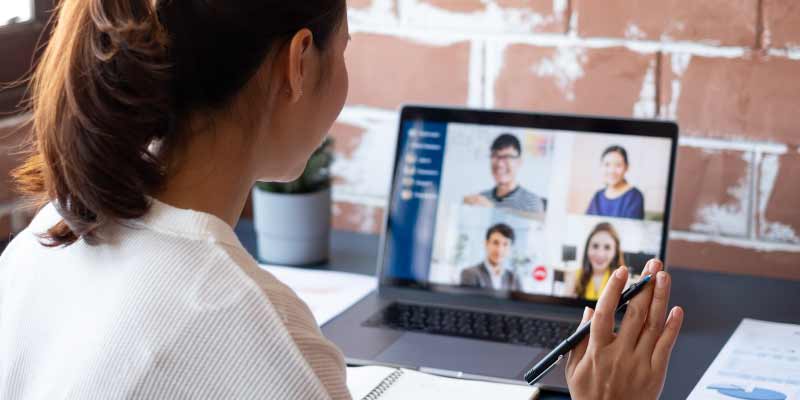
(779, 197)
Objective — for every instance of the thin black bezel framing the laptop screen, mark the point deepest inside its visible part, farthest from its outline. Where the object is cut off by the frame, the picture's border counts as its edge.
(520, 119)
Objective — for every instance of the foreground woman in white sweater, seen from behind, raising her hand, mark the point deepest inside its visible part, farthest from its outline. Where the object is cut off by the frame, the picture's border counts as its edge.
(152, 120)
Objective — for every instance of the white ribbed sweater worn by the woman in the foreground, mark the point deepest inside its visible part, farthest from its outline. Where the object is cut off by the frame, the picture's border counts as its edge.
(169, 307)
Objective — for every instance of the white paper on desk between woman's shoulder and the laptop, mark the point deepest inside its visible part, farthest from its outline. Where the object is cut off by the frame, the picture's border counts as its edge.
(327, 293)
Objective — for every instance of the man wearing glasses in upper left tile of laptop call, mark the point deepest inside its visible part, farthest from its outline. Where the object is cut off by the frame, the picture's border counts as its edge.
(506, 161)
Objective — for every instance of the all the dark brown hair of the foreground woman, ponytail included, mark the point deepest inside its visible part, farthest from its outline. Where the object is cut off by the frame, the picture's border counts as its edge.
(121, 77)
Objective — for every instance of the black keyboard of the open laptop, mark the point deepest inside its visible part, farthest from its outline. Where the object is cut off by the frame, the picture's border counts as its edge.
(472, 324)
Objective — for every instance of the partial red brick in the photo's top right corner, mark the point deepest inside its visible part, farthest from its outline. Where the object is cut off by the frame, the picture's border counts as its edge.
(782, 23)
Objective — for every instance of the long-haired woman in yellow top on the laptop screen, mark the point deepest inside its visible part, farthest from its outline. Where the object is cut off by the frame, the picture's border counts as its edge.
(601, 254)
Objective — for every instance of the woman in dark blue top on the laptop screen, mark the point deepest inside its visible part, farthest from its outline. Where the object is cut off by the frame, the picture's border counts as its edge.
(619, 198)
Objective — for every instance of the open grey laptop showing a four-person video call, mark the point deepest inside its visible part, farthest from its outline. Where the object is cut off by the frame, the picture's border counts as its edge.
(501, 226)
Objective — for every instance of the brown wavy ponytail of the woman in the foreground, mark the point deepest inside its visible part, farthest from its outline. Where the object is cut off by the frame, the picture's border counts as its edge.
(100, 99)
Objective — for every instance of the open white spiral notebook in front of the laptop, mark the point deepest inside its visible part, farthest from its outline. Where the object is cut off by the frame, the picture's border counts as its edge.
(385, 383)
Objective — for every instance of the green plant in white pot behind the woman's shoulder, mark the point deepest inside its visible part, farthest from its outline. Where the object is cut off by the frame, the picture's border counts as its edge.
(293, 219)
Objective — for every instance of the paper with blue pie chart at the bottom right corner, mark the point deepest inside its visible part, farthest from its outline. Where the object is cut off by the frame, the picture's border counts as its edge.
(761, 361)
